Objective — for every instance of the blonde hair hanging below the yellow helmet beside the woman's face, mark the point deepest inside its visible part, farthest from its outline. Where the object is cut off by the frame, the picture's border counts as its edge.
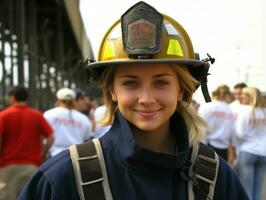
(194, 122)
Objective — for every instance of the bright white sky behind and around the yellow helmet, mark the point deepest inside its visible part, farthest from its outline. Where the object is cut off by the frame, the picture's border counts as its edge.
(232, 31)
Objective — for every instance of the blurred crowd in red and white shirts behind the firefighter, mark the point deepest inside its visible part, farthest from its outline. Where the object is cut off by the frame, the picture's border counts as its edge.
(236, 118)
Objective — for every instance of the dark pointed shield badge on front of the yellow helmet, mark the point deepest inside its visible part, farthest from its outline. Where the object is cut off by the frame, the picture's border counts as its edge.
(141, 30)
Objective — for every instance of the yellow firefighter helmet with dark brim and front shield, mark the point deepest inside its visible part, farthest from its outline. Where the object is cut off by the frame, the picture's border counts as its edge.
(143, 35)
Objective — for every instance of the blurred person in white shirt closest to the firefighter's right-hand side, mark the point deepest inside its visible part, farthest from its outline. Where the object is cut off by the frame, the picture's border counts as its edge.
(220, 120)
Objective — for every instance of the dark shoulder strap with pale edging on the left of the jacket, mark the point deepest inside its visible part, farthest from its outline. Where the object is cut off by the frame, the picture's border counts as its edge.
(90, 171)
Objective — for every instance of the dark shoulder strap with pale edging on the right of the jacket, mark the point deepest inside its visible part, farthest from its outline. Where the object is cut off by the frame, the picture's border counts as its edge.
(203, 172)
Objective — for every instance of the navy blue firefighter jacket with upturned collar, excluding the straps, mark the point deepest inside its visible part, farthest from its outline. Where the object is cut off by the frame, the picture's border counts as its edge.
(134, 173)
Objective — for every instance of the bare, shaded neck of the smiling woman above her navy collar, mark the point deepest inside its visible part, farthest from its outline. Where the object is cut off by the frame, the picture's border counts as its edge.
(161, 140)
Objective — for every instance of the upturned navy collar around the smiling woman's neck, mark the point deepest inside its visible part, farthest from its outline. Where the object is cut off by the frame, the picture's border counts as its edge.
(122, 141)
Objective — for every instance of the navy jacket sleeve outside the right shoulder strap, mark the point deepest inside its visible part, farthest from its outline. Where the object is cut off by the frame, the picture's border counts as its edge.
(228, 186)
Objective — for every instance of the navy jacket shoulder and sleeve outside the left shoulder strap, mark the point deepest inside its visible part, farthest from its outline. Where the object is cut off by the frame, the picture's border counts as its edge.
(54, 180)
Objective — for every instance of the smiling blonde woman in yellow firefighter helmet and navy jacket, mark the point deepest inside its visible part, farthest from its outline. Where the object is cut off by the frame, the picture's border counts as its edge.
(148, 77)
